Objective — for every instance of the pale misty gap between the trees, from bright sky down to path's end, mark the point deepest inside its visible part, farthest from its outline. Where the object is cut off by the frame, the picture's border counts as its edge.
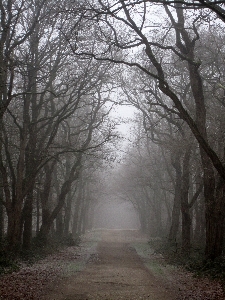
(111, 212)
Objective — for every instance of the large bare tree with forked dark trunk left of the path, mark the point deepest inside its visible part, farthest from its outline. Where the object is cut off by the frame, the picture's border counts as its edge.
(48, 89)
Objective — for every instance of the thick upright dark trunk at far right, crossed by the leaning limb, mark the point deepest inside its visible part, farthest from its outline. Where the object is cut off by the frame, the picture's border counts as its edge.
(214, 202)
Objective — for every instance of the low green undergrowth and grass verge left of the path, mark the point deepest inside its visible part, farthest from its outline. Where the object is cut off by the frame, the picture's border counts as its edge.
(39, 250)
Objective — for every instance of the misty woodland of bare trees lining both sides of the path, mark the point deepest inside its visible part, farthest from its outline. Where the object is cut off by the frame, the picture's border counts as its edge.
(65, 66)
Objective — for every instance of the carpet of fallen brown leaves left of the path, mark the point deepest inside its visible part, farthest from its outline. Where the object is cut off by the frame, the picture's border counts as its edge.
(31, 282)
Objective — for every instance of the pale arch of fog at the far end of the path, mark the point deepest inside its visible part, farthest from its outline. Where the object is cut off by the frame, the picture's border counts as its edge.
(115, 214)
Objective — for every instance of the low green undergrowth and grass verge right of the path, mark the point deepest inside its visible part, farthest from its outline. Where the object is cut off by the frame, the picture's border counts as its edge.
(163, 259)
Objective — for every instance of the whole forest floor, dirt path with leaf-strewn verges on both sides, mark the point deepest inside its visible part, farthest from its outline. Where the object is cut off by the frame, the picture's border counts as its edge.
(108, 265)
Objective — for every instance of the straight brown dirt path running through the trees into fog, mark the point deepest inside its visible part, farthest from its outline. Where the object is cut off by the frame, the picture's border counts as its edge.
(114, 272)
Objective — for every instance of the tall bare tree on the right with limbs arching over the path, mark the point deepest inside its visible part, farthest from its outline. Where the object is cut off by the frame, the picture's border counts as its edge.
(180, 39)
